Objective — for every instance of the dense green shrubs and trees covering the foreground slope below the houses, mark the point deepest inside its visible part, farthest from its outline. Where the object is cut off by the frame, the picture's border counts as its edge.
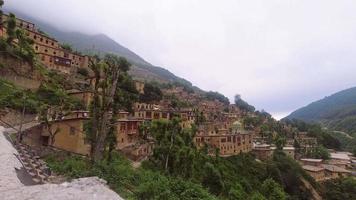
(203, 177)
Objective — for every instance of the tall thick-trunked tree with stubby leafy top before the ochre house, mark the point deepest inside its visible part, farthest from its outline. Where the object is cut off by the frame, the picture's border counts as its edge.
(102, 110)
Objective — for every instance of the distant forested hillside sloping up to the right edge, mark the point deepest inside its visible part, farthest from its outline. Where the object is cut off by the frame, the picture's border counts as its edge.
(338, 111)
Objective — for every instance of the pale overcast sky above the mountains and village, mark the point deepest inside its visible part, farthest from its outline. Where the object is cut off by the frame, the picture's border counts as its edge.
(278, 54)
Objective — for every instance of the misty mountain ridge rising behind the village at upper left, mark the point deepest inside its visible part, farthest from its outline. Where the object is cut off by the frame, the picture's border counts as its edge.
(101, 44)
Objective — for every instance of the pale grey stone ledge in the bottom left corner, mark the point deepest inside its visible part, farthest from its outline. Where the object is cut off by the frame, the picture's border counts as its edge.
(11, 188)
